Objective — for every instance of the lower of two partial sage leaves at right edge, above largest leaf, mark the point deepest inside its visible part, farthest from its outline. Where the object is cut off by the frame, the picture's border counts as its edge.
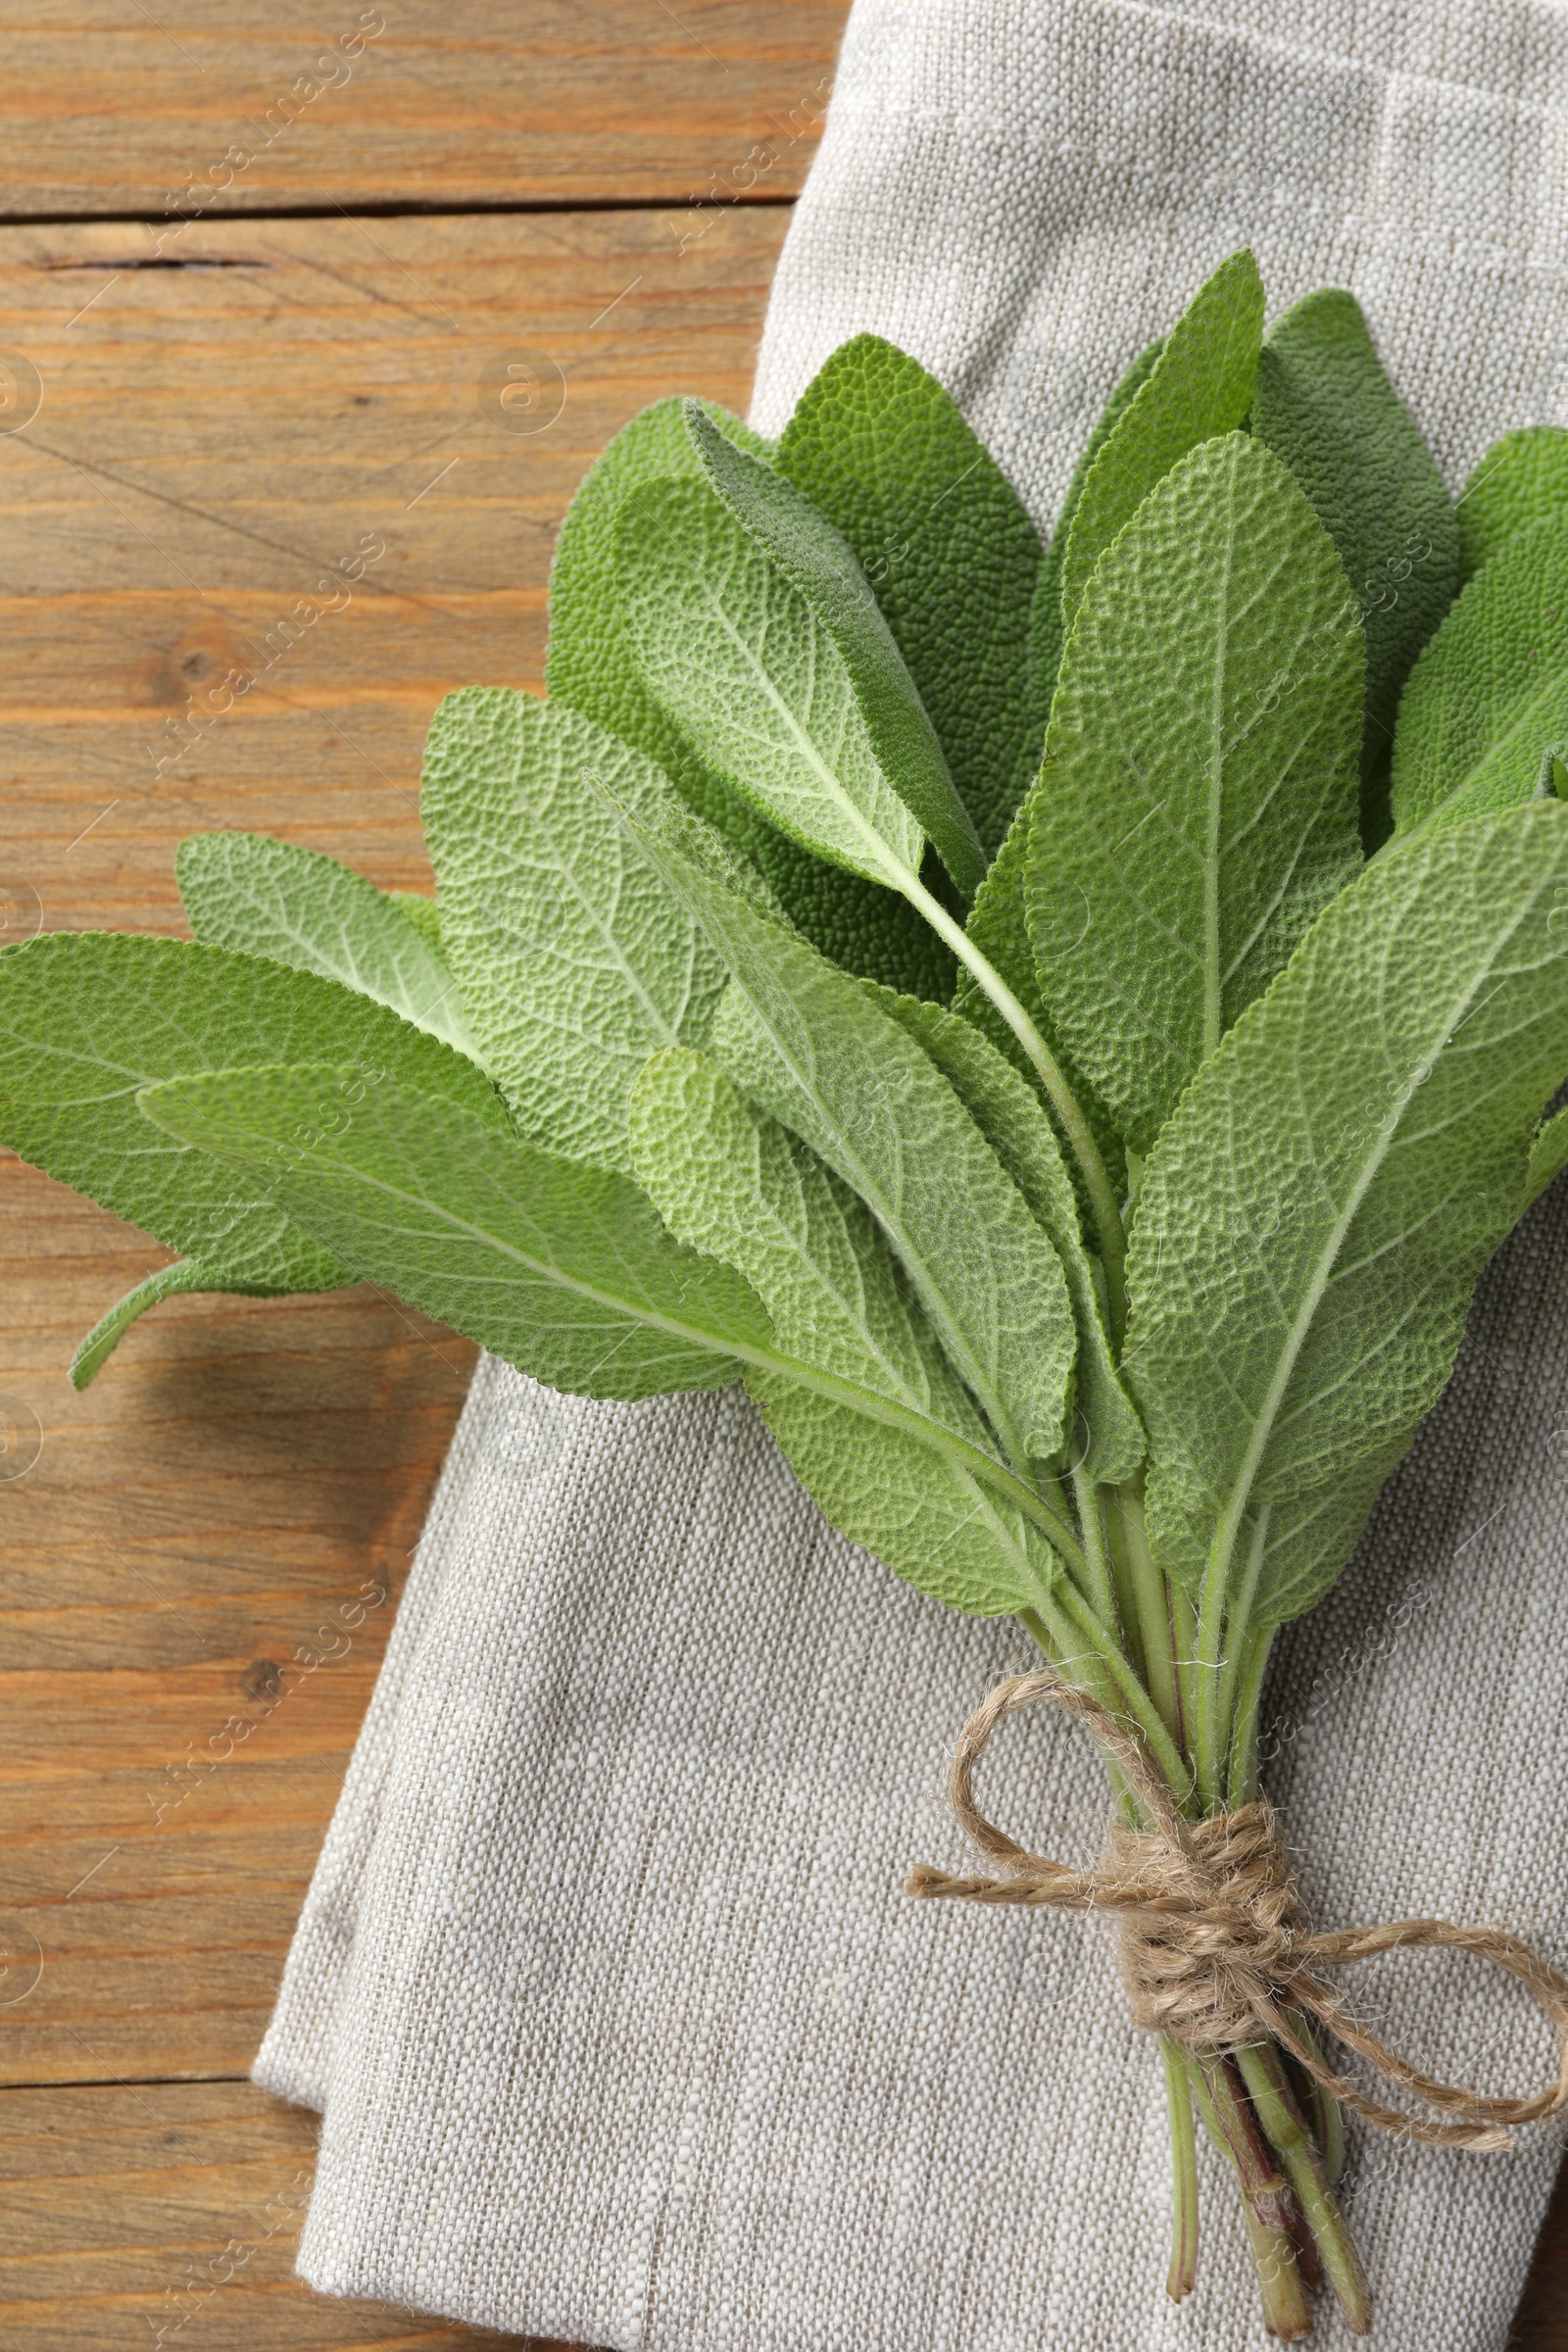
(1489, 697)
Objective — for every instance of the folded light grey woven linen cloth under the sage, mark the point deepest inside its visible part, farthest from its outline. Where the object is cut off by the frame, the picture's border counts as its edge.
(622, 2026)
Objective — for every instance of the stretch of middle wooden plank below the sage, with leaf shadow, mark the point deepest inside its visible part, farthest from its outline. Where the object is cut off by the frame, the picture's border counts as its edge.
(196, 1586)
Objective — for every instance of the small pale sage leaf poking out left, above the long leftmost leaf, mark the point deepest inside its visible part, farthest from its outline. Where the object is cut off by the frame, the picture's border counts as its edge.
(295, 907)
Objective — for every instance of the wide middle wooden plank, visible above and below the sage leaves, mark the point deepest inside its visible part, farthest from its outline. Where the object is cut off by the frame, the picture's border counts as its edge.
(243, 1471)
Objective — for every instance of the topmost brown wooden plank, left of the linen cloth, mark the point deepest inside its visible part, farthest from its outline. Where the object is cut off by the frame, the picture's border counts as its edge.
(206, 109)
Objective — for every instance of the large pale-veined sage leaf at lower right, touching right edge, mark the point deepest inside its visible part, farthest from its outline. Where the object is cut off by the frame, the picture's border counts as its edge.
(1313, 1220)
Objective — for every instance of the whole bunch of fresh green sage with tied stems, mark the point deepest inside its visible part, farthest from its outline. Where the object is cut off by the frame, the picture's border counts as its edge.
(1066, 1027)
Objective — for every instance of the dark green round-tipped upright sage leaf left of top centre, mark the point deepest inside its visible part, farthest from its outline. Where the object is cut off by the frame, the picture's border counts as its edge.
(946, 542)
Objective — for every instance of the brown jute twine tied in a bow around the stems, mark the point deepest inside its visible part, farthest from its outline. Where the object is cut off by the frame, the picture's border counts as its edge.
(1217, 1946)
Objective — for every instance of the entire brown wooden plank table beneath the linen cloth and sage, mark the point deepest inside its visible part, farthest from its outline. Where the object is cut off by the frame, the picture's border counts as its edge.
(368, 211)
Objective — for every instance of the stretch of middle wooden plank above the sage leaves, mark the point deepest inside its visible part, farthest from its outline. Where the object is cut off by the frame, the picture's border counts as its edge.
(311, 394)
